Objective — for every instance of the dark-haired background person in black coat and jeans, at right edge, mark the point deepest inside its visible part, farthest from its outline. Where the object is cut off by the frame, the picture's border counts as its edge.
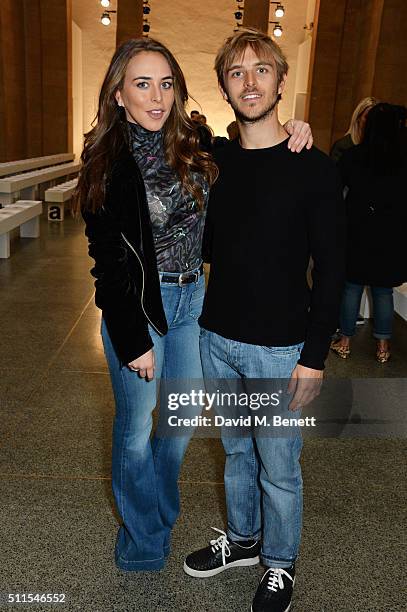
(374, 174)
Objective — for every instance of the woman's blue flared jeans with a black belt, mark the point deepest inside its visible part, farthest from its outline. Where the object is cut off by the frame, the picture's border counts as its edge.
(145, 471)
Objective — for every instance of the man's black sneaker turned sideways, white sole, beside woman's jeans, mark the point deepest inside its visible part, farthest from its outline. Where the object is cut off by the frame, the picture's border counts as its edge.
(220, 555)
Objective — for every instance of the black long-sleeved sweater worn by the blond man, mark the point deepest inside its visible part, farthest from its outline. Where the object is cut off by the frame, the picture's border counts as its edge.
(269, 210)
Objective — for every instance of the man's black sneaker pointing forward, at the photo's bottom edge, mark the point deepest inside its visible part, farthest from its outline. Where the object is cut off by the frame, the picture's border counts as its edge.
(275, 590)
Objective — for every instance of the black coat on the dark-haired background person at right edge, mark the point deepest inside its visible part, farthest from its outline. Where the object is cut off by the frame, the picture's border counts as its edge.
(376, 206)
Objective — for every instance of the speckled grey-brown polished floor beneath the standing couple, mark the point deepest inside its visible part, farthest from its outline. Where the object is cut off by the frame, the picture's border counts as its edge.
(58, 523)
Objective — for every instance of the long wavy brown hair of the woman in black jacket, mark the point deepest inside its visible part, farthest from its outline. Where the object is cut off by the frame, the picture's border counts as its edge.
(105, 141)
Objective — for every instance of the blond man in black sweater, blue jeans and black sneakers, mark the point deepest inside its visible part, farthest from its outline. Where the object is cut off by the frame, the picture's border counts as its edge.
(269, 211)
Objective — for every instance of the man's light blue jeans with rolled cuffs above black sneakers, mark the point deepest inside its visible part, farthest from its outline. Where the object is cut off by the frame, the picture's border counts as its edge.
(263, 482)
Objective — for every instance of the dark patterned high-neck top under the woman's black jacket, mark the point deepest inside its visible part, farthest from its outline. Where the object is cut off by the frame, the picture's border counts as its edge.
(177, 222)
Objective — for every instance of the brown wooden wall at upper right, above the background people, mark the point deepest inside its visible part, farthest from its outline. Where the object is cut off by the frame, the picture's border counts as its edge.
(361, 53)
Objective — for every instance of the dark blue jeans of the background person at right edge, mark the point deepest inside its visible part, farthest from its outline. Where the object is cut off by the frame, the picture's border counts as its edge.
(383, 310)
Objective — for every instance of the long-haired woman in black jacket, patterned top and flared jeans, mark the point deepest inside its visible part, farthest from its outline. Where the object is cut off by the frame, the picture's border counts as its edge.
(142, 192)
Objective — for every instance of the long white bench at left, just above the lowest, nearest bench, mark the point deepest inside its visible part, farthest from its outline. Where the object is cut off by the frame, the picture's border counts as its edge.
(25, 185)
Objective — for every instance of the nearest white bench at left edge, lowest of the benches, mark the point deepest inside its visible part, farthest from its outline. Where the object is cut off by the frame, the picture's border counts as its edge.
(24, 214)
